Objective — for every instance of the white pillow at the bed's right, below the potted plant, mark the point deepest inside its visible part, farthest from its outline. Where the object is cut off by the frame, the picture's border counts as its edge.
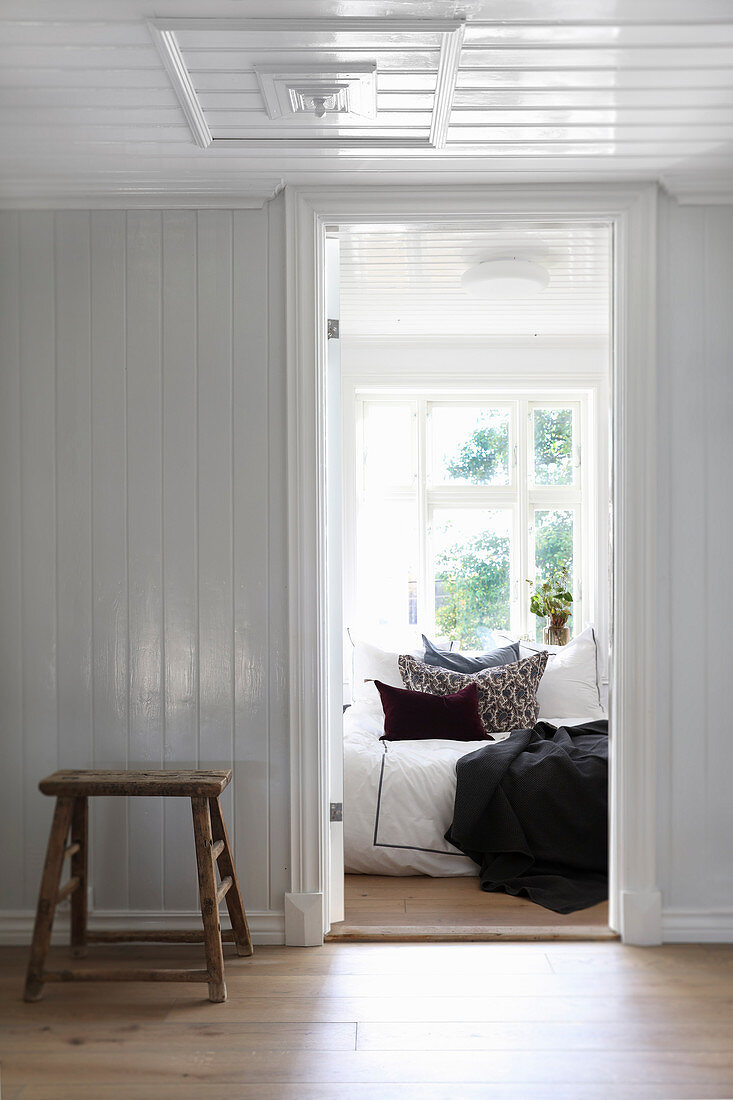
(570, 687)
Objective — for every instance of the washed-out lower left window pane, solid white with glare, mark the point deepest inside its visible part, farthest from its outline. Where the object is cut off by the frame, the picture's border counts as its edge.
(387, 569)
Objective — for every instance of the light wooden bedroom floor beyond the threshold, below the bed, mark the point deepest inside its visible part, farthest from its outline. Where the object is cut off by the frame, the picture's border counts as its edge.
(424, 909)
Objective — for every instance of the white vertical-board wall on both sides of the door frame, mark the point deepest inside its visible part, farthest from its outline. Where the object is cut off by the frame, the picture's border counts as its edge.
(143, 531)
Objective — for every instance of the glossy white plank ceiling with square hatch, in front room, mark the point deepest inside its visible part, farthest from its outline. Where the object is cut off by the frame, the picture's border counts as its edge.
(505, 90)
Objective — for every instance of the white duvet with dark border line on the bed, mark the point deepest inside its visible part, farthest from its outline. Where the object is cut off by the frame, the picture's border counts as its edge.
(399, 800)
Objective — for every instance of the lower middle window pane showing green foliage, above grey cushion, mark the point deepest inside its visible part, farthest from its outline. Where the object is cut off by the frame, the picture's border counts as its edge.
(472, 559)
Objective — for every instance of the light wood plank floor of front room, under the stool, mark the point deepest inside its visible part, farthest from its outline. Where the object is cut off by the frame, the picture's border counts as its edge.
(521, 1021)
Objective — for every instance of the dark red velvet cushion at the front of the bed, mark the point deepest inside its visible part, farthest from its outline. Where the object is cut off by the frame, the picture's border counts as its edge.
(421, 717)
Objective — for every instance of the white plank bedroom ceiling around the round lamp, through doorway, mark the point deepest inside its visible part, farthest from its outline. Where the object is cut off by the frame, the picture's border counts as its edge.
(406, 280)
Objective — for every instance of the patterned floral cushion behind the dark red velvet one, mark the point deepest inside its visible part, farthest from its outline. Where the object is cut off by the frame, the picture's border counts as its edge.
(508, 695)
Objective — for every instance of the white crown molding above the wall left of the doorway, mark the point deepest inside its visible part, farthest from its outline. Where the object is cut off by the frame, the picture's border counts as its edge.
(111, 194)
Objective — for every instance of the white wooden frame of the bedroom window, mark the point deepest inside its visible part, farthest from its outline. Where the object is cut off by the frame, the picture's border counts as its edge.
(586, 497)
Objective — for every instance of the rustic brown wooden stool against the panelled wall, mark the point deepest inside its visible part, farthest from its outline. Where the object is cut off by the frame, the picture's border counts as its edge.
(72, 790)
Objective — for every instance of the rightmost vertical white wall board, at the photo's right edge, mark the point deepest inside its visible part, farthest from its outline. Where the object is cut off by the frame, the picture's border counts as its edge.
(719, 460)
